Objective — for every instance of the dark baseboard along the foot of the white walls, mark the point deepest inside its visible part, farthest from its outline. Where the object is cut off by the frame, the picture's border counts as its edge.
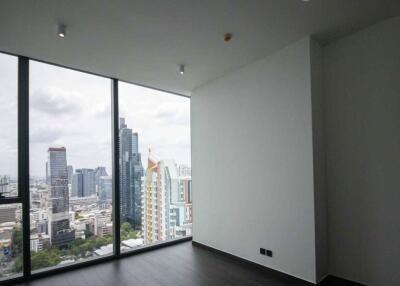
(329, 280)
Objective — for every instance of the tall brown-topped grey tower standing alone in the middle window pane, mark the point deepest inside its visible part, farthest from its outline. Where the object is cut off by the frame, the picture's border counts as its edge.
(57, 181)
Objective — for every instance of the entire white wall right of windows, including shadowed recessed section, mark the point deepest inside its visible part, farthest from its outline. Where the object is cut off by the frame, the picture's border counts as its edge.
(262, 137)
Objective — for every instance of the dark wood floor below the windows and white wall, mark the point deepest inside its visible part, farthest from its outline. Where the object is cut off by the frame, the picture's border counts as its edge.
(181, 264)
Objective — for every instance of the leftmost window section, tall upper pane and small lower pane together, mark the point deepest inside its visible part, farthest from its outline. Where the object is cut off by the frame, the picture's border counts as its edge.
(10, 213)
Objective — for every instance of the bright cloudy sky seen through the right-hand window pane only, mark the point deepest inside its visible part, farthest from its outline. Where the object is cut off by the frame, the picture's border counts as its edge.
(161, 119)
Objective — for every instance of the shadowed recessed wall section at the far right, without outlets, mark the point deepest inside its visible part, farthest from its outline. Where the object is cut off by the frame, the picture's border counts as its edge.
(362, 87)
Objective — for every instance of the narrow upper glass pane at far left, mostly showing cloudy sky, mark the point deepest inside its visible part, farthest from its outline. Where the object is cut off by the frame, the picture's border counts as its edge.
(8, 126)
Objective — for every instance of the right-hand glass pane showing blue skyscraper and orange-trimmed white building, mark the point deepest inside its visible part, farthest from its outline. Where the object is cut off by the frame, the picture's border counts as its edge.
(155, 166)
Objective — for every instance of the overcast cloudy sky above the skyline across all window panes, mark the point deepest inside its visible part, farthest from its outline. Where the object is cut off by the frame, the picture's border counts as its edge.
(73, 109)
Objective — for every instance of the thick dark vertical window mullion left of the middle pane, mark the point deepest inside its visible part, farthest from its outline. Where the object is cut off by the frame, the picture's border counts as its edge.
(23, 157)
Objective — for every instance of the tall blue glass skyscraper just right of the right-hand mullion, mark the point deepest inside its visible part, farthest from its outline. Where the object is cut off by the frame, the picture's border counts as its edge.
(131, 172)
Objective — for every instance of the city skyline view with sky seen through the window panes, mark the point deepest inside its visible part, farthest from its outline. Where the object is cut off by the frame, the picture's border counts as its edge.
(71, 179)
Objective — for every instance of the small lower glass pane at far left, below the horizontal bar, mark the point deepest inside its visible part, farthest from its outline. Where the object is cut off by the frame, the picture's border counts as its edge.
(10, 241)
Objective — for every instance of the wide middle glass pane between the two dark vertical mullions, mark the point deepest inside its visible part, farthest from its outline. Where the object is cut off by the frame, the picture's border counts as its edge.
(70, 166)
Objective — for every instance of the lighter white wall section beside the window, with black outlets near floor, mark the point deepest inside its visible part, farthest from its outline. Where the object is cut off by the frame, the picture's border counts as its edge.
(252, 158)
